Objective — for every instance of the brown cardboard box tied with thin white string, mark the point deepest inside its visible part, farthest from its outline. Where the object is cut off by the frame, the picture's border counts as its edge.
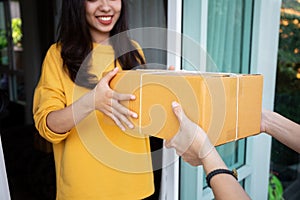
(226, 106)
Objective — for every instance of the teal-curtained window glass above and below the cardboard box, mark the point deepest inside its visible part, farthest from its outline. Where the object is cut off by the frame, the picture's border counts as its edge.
(228, 43)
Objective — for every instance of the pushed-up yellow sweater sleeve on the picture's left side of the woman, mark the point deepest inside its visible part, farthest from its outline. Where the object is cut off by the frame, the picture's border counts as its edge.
(49, 94)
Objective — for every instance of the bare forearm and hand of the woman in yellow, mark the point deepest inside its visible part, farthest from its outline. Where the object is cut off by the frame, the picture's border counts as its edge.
(101, 98)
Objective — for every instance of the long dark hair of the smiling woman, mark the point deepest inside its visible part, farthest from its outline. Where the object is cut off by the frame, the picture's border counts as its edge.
(76, 42)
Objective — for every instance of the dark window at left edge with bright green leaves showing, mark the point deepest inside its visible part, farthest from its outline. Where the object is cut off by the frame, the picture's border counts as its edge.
(11, 70)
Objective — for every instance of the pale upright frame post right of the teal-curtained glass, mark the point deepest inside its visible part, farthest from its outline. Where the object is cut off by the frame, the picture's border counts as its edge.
(263, 61)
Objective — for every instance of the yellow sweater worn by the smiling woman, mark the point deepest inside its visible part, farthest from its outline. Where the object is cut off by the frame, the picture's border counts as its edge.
(94, 160)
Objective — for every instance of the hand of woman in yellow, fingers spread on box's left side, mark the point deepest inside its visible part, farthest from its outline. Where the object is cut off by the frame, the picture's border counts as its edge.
(108, 102)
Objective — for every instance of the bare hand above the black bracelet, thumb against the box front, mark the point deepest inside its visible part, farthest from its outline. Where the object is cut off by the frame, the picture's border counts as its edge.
(190, 142)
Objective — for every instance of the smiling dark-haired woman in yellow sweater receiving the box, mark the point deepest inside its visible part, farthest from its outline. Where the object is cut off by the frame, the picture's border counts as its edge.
(72, 99)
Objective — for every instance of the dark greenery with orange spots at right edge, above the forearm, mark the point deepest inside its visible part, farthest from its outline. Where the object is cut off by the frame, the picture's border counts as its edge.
(288, 67)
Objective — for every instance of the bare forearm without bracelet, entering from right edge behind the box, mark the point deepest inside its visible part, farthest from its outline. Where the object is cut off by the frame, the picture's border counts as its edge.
(281, 128)
